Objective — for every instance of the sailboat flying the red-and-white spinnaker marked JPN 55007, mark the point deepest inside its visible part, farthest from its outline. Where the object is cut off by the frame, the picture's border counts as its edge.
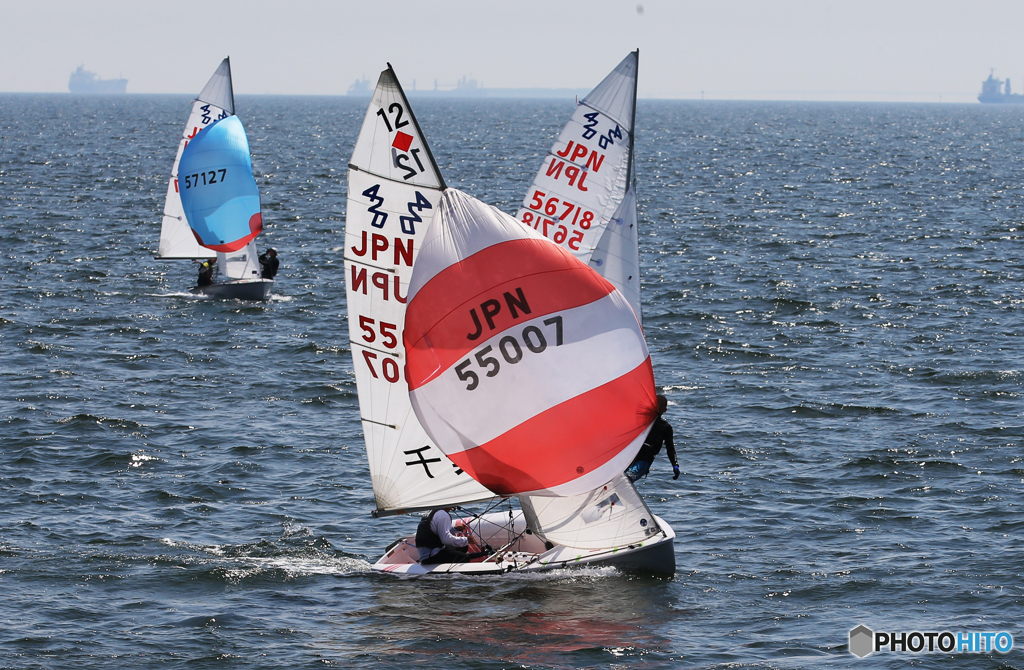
(476, 385)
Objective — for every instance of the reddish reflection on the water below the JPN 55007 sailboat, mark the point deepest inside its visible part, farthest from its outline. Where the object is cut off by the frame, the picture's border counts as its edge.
(558, 619)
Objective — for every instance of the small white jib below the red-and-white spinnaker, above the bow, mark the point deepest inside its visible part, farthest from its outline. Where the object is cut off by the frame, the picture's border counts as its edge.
(613, 516)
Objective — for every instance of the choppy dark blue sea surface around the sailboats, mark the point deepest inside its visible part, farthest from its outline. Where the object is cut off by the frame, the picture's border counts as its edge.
(833, 300)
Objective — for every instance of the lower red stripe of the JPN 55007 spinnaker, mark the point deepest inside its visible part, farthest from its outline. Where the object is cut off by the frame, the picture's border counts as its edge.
(569, 441)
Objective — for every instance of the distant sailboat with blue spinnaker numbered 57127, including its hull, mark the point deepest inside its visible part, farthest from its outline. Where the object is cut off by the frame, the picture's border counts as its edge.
(201, 212)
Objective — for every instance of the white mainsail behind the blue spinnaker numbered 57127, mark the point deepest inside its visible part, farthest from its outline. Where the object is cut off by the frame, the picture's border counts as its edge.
(215, 103)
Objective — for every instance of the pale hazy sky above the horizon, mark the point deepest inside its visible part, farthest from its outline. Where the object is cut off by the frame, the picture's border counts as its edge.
(786, 50)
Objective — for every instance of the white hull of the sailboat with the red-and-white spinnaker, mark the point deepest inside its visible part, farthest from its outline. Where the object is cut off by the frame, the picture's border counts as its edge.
(519, 551)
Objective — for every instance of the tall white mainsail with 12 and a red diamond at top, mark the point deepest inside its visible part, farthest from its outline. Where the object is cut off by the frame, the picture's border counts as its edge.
(394, 190)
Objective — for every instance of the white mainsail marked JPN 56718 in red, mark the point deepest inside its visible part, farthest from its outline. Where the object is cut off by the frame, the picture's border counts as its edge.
(585, 178)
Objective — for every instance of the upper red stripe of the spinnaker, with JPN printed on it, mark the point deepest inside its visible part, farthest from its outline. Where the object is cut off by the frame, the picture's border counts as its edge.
(439, 321)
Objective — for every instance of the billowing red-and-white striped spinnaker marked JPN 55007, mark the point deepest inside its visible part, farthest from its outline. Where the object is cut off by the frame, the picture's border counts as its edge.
(528, 368)
